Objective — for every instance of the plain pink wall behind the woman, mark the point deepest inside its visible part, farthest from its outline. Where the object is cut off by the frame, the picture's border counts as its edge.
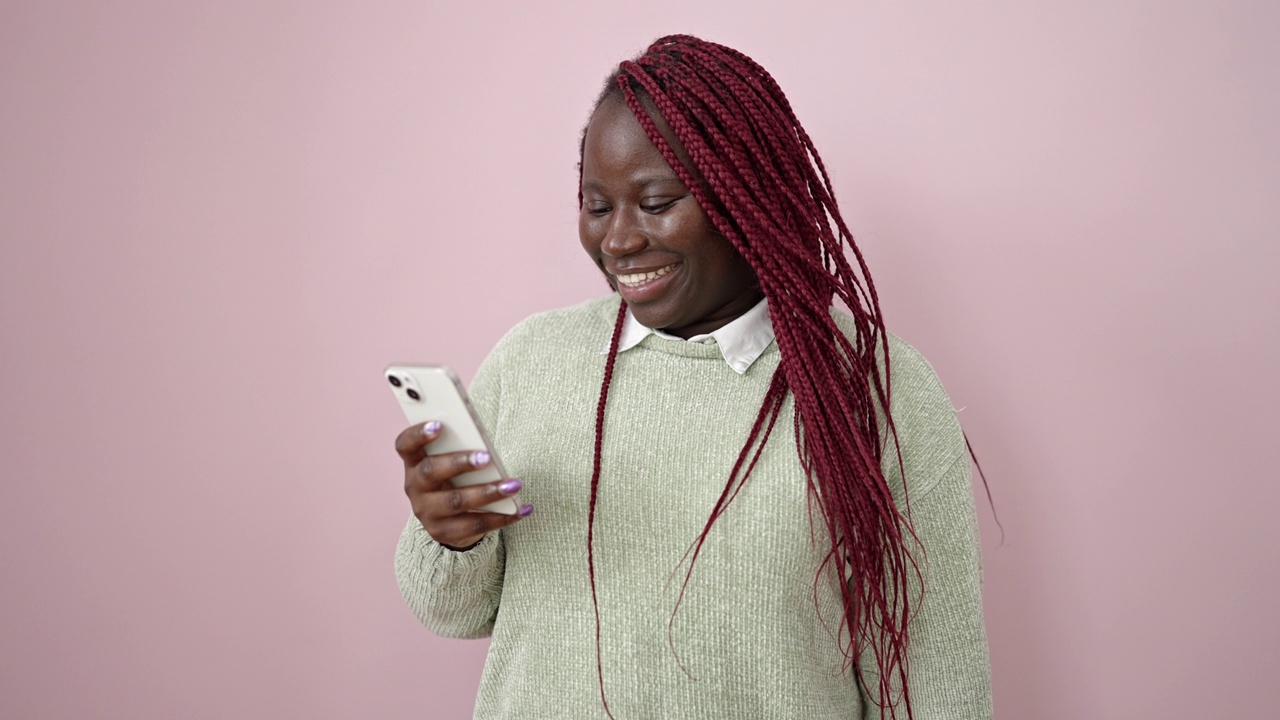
(221, 221)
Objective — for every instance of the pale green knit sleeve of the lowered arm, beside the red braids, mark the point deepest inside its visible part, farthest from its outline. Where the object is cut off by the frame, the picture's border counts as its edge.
(949, 669)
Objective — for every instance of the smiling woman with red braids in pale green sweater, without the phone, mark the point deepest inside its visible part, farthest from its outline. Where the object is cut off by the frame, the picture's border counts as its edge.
(723, 525)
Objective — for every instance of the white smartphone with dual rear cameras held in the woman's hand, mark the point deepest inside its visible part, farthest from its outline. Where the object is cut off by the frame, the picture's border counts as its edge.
(435, 393)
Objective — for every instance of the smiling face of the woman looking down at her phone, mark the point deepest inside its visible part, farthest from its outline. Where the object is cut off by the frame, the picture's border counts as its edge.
(647, 233)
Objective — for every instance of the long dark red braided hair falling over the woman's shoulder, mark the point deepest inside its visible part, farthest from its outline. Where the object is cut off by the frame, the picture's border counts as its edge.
(757, 175)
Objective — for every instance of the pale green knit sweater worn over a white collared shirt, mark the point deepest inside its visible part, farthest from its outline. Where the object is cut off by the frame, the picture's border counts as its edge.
(756, 631)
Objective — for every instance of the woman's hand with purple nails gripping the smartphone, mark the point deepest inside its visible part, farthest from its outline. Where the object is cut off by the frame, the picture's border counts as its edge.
(451, 516)
